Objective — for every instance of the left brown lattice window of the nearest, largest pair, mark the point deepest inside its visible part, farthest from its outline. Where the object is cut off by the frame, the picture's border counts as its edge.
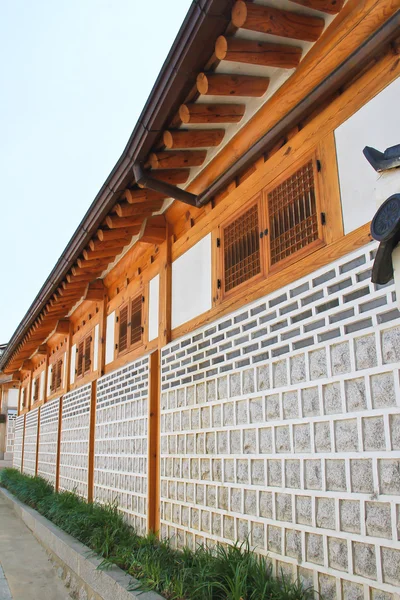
(241, 243)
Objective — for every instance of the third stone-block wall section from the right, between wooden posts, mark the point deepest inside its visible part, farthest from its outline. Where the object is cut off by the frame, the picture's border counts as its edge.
(74, 444)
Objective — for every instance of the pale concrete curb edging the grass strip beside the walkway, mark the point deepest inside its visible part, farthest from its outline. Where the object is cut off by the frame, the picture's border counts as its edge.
(80, 569)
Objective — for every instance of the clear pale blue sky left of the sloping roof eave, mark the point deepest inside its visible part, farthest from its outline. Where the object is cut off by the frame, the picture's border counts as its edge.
(74, 77)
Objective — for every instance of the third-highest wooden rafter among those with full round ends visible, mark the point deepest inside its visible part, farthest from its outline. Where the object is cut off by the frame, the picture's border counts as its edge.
(221, 84)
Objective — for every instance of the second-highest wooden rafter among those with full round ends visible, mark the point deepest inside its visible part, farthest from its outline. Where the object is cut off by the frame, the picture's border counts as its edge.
(257, 53)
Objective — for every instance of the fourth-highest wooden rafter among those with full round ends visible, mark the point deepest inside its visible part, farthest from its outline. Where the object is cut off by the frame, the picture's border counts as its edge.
(210, 113)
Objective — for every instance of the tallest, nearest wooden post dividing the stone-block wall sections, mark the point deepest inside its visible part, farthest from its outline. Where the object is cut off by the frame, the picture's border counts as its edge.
(153, 453)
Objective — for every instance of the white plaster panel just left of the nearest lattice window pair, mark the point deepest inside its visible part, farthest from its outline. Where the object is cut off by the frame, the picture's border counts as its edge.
(191, 283)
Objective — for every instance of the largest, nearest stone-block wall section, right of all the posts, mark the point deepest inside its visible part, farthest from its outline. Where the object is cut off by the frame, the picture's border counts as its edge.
(281, 422)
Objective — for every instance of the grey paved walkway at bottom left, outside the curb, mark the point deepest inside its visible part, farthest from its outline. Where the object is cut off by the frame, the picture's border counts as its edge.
(25, 570)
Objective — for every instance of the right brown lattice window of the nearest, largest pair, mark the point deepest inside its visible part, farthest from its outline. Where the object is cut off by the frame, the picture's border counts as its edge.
(293, 216)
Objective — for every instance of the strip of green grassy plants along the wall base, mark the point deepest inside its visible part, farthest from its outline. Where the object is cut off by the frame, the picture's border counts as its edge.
(220, 573)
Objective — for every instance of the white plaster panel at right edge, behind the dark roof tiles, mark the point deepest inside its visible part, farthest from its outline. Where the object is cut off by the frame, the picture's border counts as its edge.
(376, 124)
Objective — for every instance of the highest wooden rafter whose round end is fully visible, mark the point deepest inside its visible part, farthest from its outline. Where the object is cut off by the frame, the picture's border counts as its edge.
(283, 23)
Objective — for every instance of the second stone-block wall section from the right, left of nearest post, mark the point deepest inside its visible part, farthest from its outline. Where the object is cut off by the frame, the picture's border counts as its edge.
(120, 472)
